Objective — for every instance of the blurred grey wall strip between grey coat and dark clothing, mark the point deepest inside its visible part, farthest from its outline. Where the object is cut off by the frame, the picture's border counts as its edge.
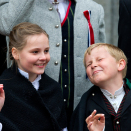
(111, 8)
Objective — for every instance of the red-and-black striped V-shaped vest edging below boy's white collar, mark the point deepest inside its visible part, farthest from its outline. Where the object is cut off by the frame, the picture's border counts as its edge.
(116, 116)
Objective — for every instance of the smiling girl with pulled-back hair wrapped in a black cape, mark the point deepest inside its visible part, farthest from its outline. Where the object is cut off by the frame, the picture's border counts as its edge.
(33, 100)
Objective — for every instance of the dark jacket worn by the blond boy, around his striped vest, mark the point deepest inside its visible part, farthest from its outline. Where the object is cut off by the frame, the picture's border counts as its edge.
(93, 99)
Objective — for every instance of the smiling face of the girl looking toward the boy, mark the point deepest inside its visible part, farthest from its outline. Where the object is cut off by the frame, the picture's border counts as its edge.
(34, 57)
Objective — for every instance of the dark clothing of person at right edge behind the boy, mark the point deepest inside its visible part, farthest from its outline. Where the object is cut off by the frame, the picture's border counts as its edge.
(124, 31)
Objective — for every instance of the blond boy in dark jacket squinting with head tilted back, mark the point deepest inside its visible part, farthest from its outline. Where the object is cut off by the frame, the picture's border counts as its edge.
(106, 67)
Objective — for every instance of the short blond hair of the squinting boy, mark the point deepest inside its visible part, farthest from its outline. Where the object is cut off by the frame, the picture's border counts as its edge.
(114, 51)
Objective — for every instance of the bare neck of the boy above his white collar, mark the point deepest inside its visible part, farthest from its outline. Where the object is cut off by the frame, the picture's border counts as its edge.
(112, 86)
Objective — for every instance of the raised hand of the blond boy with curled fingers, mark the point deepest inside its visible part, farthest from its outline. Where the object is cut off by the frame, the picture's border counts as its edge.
(95, 122)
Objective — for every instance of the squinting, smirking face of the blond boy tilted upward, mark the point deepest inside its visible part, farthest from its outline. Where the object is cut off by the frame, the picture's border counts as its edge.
(101, 66)
